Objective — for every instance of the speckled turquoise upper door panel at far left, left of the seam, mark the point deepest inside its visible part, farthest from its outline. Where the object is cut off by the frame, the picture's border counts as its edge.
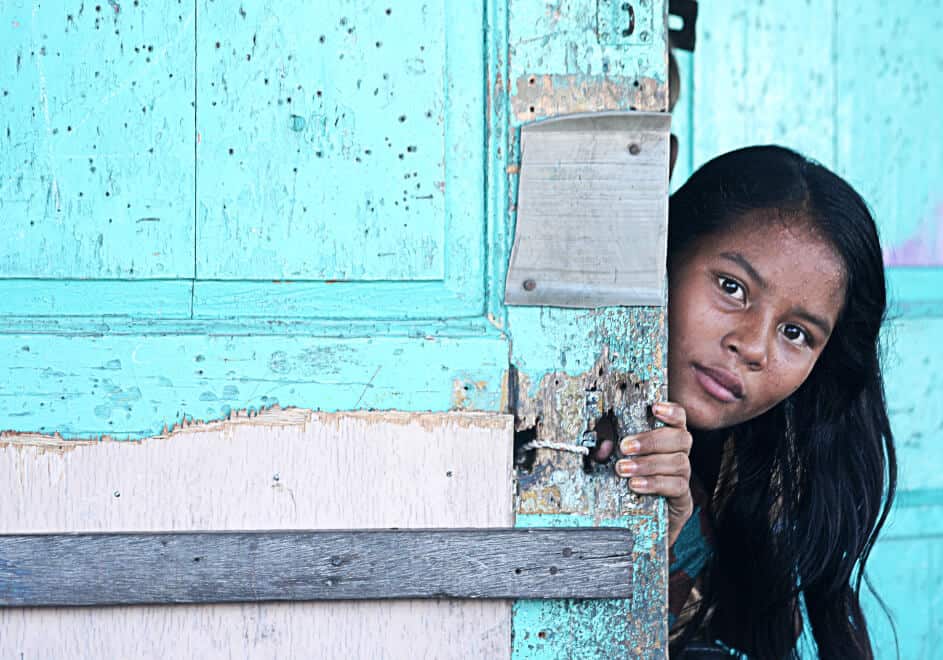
(96, 153)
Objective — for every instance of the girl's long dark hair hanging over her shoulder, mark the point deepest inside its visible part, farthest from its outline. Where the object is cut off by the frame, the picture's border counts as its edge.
(814, 477)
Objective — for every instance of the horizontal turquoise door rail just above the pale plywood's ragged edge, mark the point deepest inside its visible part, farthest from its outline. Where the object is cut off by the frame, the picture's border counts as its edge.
(76, 386)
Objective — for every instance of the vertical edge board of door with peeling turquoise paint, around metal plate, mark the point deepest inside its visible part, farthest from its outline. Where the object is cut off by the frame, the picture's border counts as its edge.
(559, 62)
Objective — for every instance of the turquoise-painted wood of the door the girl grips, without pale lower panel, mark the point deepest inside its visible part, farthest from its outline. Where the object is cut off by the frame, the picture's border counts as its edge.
(215, 208)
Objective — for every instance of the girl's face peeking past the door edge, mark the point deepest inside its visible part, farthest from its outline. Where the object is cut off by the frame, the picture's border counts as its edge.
(750, 310)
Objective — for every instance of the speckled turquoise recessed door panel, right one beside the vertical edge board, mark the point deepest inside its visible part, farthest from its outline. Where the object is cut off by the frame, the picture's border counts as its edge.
(337, 140)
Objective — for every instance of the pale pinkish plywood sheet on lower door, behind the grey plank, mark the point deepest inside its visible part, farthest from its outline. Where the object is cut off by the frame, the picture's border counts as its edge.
(278, 470)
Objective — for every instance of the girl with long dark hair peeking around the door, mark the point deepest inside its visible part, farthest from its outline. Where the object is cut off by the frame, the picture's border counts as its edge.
(776, 299)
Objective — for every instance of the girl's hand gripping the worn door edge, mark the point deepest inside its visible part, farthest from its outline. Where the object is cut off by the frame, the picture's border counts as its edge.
(656, 463)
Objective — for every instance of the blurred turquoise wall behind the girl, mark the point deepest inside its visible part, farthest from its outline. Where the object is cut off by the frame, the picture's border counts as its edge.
(856, 86)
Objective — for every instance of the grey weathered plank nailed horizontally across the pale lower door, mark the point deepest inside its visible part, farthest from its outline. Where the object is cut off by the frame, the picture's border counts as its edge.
(215, 567)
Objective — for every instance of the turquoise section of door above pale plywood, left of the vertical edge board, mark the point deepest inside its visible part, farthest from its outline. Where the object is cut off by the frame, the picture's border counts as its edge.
(268, 215)
